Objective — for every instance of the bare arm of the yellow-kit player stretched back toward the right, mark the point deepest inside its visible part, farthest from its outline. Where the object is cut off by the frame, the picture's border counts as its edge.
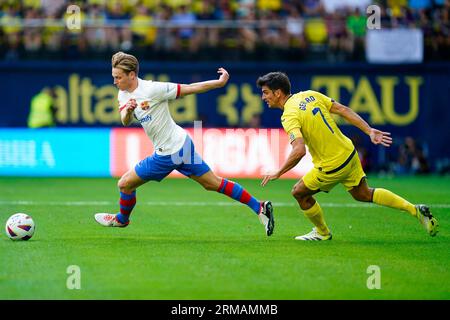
(376, 136)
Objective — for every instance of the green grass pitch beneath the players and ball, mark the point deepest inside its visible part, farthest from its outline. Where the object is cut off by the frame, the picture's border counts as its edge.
(213, 249)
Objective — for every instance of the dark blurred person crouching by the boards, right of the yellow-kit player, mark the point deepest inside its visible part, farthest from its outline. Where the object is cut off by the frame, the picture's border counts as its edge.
(411, 158)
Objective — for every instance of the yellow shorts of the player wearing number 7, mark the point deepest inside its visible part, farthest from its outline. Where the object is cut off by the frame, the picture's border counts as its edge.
(350, 176)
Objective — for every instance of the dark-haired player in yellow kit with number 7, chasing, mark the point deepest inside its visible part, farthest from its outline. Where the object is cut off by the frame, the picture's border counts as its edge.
(307, 120)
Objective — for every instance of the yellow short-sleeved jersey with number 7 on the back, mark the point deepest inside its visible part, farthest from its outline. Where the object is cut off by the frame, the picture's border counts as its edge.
(307, 115)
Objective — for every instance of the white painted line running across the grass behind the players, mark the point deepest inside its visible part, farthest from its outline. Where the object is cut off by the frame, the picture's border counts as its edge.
(191, 204)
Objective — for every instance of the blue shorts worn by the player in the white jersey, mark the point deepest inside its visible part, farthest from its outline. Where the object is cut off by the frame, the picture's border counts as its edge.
(186, 161)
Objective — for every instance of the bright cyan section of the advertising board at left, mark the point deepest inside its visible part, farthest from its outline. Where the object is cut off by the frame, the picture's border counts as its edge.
(55, 152)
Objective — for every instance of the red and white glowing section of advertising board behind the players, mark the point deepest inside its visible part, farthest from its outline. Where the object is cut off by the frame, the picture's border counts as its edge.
(234, 153)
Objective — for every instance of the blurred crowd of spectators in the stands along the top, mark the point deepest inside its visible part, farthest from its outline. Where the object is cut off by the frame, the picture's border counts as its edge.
(213, 29)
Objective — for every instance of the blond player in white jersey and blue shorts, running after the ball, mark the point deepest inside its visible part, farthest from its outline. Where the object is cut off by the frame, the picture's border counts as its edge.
(148, 103)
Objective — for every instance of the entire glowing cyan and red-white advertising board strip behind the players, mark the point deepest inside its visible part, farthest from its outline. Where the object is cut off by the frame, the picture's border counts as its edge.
(82, 152)
